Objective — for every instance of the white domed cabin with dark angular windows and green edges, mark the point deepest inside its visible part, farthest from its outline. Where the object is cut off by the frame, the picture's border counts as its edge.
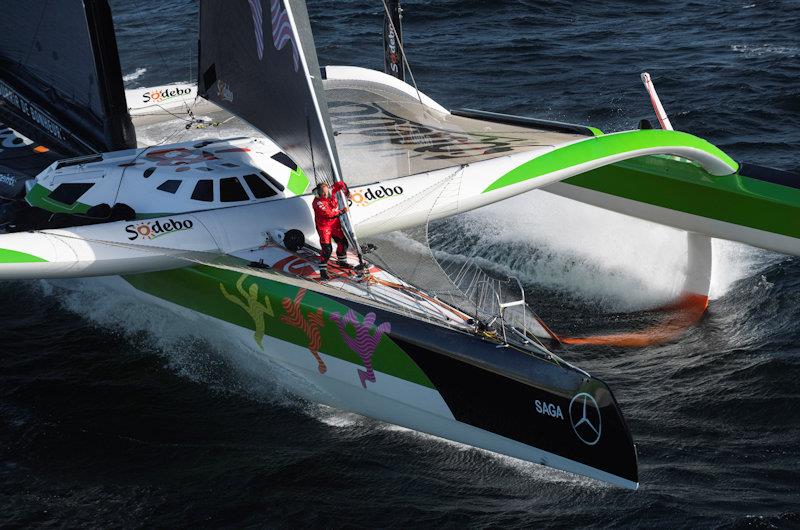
(155, 181)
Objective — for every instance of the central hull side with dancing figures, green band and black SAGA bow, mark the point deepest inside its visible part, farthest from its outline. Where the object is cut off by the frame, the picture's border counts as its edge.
(400, 370)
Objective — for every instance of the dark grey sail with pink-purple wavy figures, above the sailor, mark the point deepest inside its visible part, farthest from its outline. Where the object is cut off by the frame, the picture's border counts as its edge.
(257, 60)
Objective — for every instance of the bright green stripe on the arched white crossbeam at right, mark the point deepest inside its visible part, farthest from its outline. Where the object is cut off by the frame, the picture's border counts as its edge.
(604, 146)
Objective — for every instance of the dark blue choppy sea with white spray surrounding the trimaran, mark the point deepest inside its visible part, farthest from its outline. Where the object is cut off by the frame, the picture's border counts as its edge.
(114, 413)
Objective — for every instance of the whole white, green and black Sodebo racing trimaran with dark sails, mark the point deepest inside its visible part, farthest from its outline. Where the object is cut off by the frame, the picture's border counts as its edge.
(220, 224)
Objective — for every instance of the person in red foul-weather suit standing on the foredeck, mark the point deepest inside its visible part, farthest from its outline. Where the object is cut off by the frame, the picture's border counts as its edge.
(326, 218)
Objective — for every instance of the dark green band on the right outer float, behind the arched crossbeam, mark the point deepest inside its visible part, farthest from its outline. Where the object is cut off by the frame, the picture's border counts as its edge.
(686, 187)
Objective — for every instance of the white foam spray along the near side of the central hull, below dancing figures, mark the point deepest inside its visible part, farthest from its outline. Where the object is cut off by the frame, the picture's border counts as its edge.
(192, 345)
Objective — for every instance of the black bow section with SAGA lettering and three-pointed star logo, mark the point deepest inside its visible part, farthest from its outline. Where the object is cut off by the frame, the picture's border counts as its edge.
(543, 403)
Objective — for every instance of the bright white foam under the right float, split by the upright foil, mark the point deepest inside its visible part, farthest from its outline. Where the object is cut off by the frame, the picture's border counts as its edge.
(623, 263)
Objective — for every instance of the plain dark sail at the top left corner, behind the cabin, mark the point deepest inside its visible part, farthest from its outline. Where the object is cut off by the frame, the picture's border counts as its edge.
(60, 78)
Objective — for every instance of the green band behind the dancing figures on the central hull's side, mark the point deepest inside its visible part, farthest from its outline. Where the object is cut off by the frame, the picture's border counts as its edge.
(264, 306)
